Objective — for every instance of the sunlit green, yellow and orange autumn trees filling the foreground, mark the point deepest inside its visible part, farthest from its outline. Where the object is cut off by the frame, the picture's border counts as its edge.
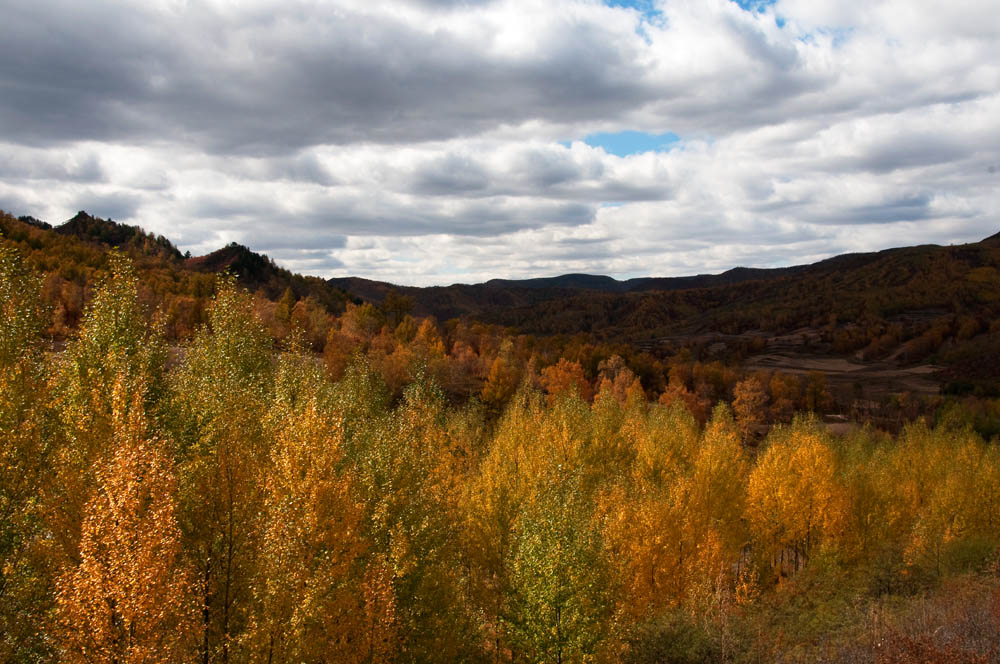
(228, 503)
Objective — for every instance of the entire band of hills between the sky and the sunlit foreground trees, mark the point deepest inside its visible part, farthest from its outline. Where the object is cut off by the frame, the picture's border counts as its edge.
(927, 308)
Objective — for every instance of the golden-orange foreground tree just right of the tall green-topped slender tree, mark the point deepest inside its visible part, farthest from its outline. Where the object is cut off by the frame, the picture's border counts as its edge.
(307, 592)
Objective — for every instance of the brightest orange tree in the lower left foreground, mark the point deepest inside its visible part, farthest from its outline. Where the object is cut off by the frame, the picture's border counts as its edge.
(130, 597)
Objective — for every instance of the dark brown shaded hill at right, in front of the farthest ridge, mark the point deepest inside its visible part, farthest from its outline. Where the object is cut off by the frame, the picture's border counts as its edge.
(853, 289)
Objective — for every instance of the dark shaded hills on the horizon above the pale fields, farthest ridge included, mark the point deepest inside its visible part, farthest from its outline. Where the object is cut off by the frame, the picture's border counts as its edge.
(962, 279)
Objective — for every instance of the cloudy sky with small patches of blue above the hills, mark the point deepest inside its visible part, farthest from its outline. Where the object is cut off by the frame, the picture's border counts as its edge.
(428, 142)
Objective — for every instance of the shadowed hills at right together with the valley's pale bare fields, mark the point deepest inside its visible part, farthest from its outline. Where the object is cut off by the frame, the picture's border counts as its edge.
(912, 319)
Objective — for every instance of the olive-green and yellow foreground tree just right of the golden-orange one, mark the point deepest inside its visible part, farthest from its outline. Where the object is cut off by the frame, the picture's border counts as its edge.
(403, 473)
